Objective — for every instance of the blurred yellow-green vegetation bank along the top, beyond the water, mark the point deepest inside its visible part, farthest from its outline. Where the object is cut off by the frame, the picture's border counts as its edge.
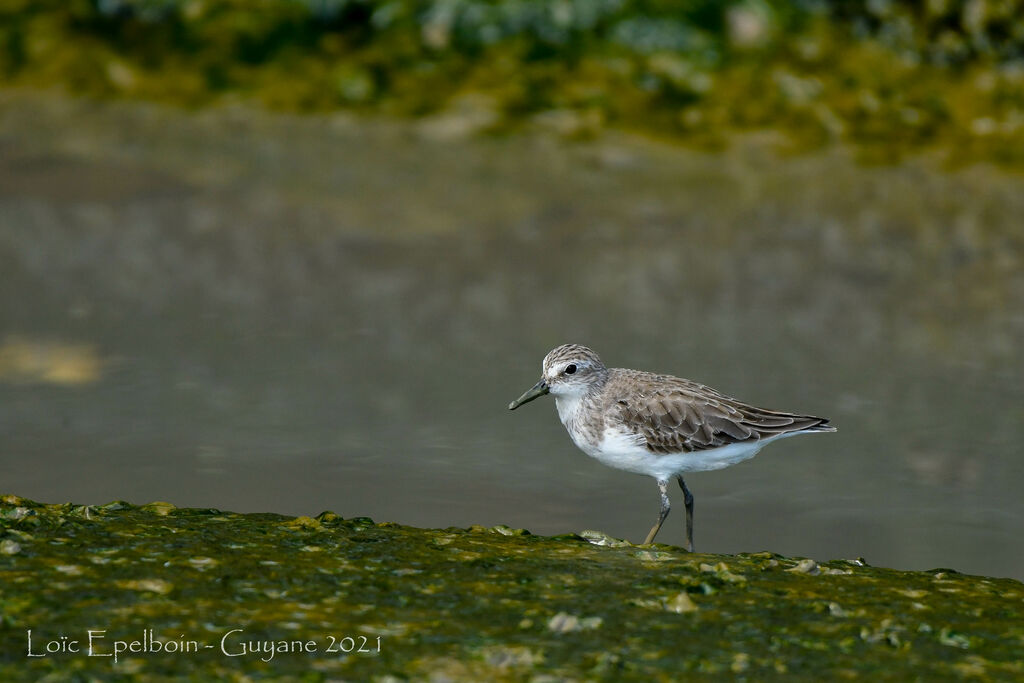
(889, 75)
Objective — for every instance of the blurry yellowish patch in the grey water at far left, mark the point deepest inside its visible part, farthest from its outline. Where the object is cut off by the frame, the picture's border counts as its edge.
(25, 361)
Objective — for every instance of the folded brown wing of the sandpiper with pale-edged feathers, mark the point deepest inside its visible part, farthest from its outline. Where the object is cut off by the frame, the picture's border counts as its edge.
(676, 415)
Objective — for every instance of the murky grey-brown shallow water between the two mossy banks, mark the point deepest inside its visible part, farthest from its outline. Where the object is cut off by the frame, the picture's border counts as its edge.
(257, 313)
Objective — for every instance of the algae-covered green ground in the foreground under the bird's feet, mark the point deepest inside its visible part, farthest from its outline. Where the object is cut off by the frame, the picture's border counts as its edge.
(309, 594)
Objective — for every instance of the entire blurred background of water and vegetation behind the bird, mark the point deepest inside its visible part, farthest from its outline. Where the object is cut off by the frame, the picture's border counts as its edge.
(303, 258)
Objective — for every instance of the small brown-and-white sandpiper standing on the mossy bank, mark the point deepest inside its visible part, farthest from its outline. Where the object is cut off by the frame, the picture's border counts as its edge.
(658, 425)
